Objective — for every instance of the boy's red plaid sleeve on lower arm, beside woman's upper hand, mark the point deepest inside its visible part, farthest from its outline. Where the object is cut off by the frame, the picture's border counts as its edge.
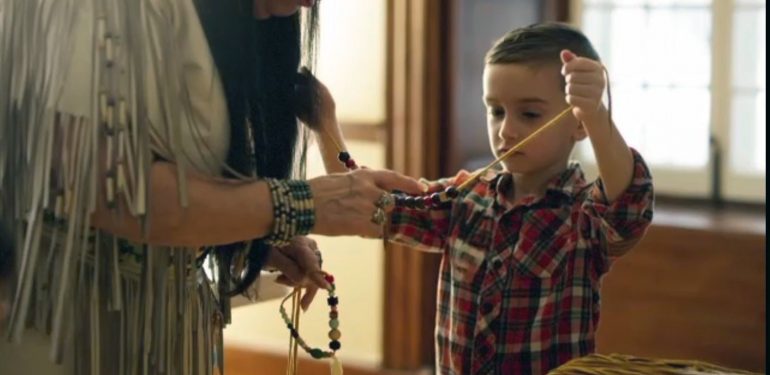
(425, 229)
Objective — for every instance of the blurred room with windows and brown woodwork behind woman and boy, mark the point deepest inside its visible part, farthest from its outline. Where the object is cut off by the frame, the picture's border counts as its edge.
(688, 88)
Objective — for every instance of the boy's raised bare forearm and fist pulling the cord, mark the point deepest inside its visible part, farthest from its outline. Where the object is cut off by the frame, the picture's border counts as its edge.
(585, 84)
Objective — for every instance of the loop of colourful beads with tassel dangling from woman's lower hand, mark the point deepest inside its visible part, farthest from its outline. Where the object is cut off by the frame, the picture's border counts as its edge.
(334, 324)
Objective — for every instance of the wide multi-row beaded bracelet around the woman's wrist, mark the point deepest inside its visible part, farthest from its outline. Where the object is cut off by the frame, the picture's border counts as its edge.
(293, 210)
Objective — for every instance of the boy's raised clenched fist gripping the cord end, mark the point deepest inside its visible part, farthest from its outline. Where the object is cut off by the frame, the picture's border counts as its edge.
(585, 83)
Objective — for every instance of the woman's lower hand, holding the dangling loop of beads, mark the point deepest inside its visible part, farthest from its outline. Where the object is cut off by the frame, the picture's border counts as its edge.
(300, 266)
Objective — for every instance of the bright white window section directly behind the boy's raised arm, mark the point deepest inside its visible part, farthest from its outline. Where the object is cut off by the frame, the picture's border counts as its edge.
(659, 59)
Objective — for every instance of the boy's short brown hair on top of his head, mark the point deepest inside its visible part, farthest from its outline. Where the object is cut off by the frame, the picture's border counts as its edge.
(540, 43)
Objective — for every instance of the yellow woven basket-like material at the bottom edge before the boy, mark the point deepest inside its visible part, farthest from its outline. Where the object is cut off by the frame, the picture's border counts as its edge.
(619, 364)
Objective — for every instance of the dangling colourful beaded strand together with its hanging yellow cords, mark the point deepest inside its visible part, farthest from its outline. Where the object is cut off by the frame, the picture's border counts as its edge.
(296, 340)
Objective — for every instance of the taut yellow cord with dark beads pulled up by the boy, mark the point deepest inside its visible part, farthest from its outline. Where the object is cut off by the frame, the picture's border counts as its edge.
(440, 198)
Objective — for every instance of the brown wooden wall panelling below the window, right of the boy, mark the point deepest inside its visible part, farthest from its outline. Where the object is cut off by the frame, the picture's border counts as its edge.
(694, 288)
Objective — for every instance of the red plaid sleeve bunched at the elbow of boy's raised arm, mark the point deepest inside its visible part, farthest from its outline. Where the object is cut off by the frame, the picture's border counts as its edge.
(620, 224)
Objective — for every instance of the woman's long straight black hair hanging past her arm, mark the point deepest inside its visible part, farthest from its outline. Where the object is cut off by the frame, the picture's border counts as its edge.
(257, 61)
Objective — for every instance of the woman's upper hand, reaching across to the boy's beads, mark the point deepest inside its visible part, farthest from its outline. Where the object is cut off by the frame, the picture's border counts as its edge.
(345, 203)
